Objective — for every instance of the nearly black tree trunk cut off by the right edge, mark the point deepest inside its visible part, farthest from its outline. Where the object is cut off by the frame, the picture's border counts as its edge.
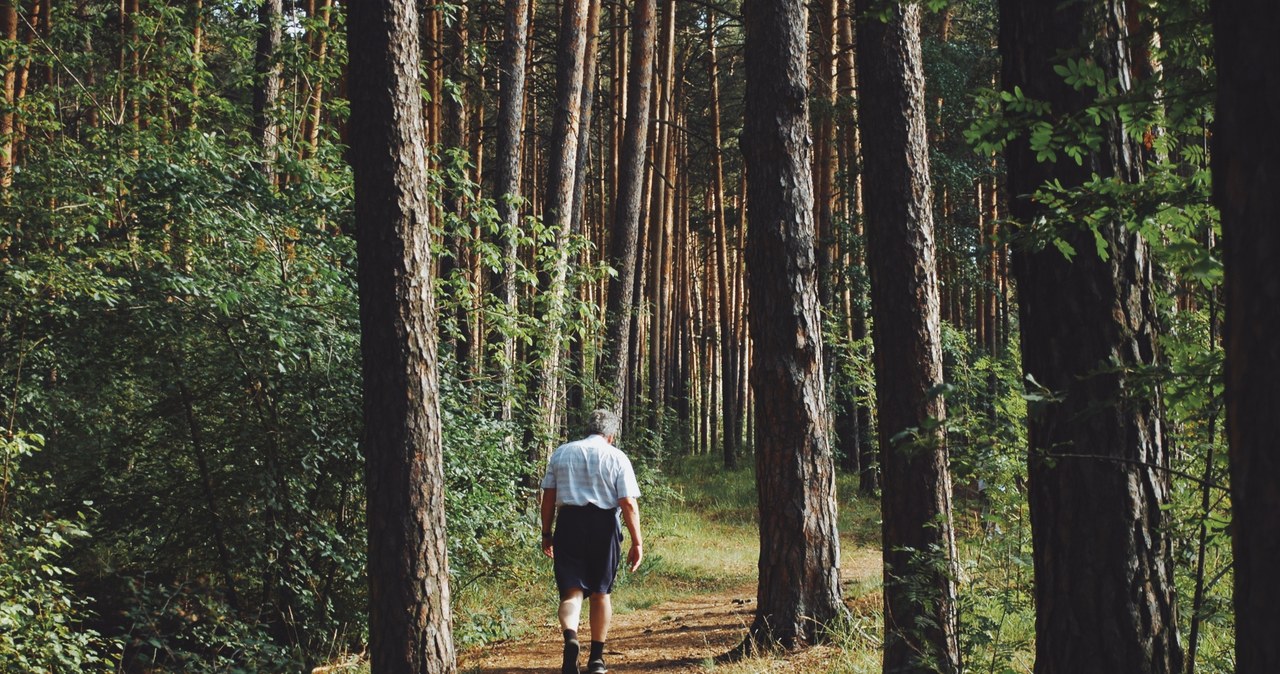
(1247, 191)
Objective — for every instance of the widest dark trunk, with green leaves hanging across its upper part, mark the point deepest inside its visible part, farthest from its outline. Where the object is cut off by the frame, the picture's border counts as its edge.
(1098, 457)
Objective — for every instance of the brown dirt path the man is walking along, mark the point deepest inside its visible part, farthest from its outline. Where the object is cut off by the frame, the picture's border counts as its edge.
(679, 636)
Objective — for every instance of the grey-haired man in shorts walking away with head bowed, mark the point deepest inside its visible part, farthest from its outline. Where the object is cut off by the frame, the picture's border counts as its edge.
(588, 482)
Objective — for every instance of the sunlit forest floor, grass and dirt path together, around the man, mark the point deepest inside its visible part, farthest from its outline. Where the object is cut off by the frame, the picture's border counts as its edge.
(694, 598)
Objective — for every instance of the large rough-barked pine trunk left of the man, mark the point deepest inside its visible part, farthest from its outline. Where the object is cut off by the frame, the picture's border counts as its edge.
(410, 623)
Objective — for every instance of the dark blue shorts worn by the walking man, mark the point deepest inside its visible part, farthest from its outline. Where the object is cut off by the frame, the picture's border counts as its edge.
(588, 547)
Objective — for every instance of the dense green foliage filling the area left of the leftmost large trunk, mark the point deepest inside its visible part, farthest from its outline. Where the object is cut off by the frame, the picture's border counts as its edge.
(184, 336)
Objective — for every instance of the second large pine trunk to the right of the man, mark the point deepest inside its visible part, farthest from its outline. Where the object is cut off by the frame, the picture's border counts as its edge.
(921, 627)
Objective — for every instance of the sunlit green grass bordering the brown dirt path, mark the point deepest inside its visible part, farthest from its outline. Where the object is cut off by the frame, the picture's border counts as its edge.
(700, 524)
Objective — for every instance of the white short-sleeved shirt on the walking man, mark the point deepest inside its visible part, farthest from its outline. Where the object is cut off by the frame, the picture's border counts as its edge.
(591, 471)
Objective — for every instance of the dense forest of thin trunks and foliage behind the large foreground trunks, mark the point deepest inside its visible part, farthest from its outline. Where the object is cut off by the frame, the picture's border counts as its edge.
(182, 483)
